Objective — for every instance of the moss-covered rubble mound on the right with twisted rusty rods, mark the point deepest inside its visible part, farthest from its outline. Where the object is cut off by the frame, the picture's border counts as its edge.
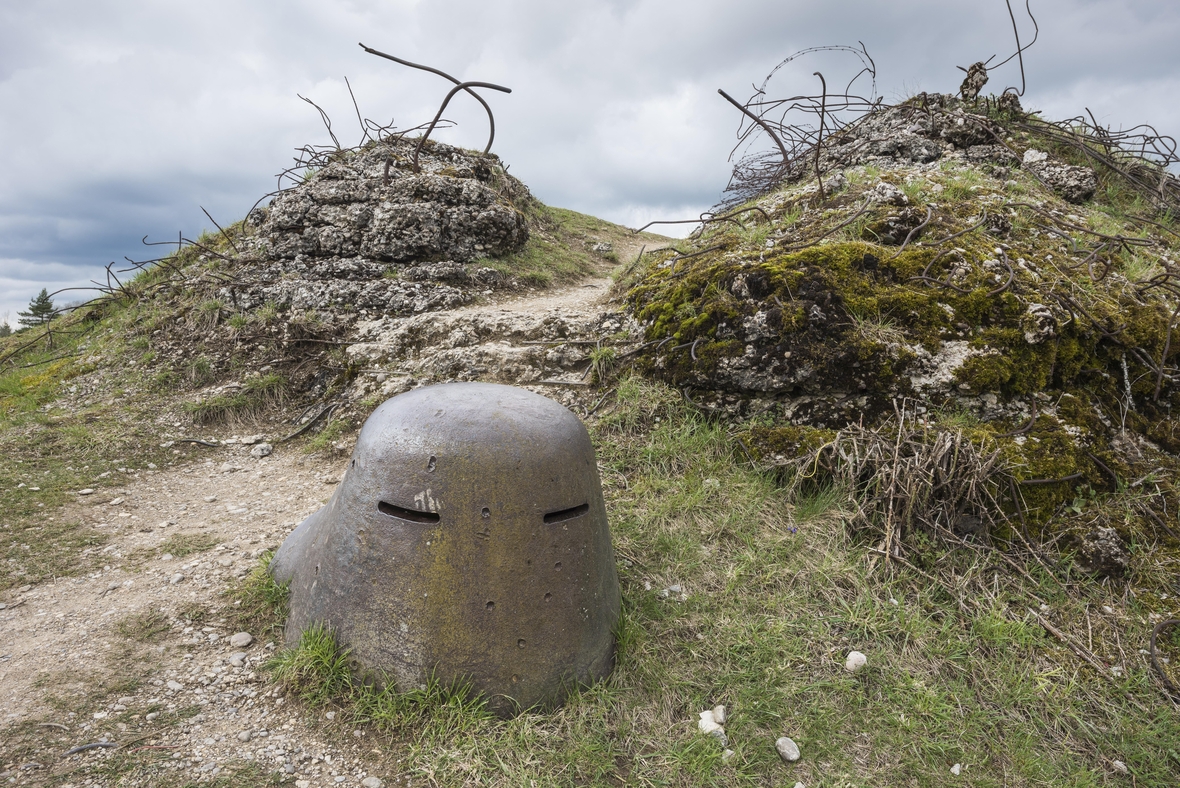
(955, 267)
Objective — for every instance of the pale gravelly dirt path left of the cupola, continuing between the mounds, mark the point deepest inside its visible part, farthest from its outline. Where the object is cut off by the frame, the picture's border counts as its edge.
(140, 654)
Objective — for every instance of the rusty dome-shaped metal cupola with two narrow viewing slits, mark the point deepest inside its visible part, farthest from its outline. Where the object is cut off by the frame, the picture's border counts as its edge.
(467, 541)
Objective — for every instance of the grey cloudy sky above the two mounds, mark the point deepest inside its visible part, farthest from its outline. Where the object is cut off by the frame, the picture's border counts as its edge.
(122, 119)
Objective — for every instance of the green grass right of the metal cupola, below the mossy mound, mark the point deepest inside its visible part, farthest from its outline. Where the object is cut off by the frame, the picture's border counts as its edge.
(778, 593)
